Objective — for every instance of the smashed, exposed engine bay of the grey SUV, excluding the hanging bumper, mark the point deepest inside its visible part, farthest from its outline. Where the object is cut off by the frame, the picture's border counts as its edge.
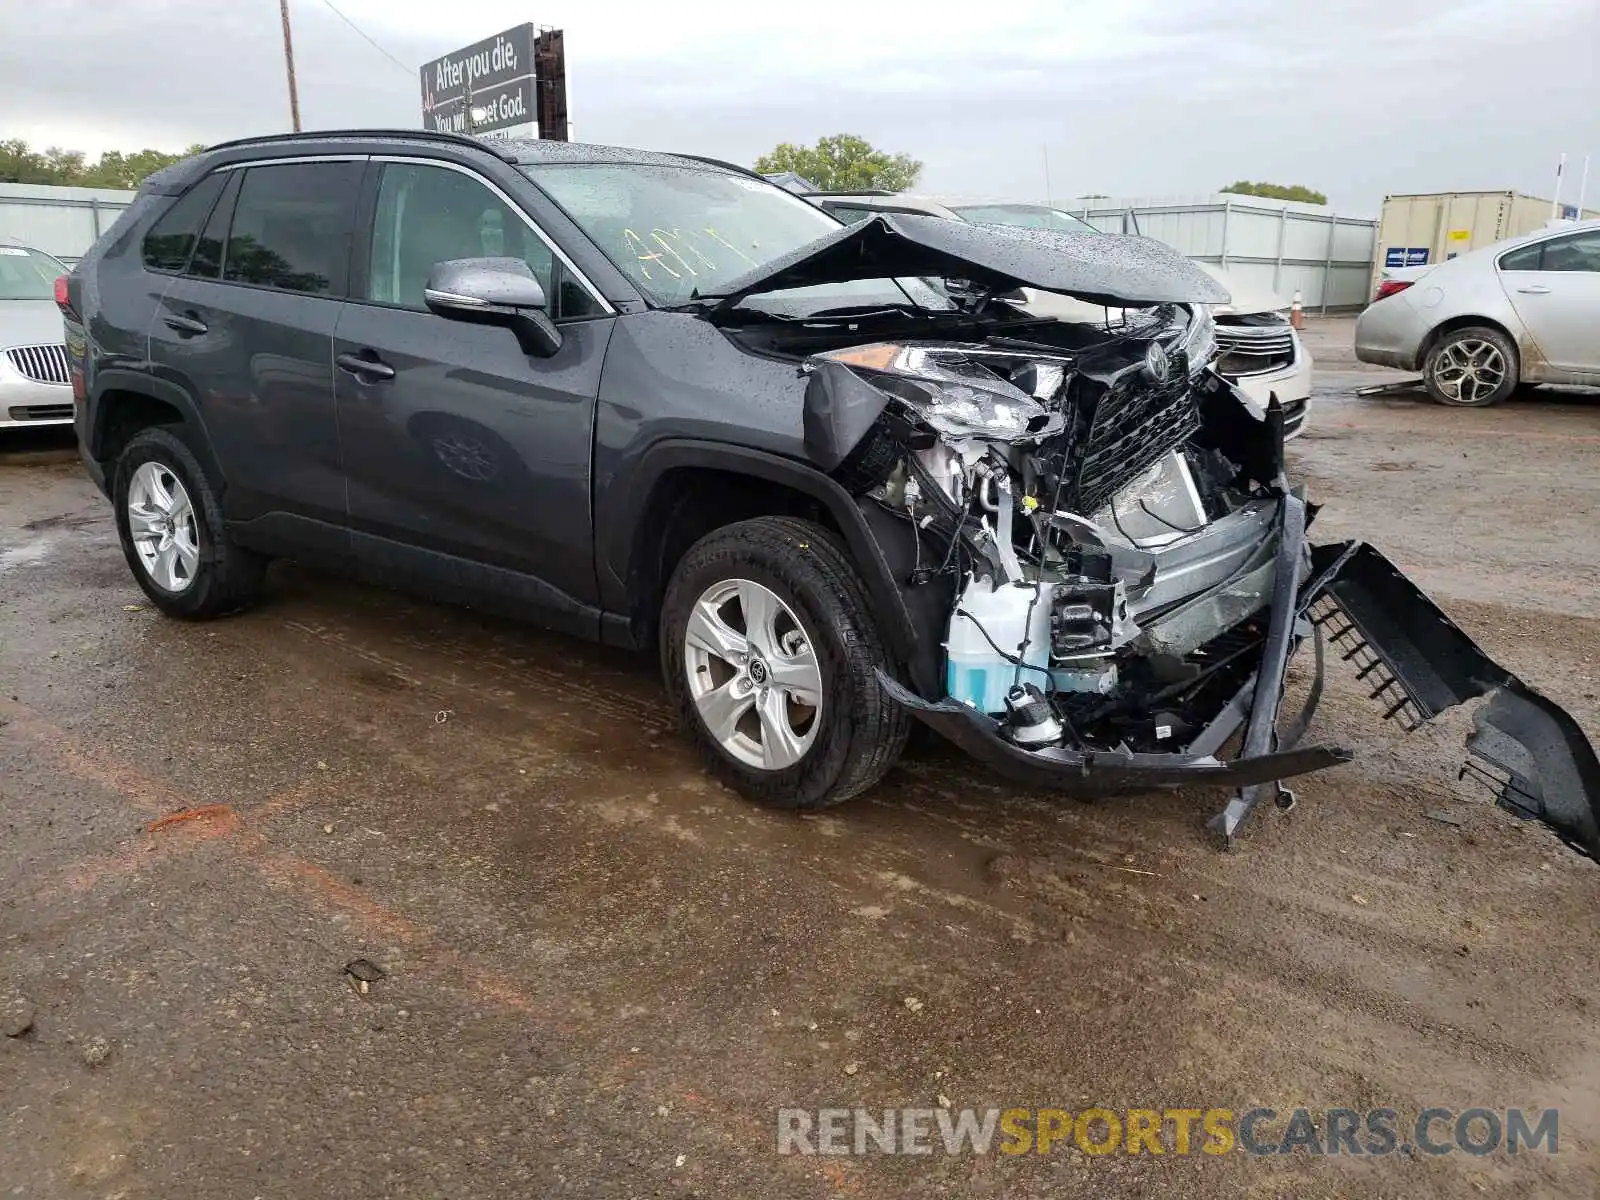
(1098, 553)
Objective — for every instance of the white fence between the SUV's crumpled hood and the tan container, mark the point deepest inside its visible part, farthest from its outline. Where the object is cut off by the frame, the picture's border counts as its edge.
(1278, 246)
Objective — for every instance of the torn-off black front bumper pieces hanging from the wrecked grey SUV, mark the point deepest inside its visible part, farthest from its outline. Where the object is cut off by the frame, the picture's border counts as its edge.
(1415, 662)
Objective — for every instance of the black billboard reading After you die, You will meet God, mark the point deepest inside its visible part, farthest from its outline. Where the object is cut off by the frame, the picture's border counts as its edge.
(494, 76)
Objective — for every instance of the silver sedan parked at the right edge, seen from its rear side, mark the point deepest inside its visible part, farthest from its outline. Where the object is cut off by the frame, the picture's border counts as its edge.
(1521, 311)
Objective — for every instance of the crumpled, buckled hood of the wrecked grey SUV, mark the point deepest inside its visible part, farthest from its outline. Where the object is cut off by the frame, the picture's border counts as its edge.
(1097, 268)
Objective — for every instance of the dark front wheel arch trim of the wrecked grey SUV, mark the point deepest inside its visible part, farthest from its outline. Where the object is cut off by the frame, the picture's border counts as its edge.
(682, 490)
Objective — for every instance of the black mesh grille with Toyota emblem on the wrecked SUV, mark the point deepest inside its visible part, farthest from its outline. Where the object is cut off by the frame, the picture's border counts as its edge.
(1134, 426)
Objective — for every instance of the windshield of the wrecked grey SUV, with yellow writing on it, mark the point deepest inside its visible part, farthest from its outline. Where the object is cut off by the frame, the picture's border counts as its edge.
(684, 233)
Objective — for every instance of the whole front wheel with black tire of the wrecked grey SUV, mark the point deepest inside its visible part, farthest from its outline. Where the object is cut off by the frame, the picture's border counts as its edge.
(769, 650)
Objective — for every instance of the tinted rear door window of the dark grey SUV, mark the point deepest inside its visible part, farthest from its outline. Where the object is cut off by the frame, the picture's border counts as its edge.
(292, 228)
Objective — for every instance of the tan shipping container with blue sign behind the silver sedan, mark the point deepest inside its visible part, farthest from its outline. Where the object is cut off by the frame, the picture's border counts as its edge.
(1420, 231)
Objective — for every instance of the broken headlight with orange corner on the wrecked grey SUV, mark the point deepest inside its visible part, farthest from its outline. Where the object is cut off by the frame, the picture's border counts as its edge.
(959, 391)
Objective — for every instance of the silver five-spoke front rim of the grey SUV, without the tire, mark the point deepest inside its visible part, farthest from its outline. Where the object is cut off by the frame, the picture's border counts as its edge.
(753, 674)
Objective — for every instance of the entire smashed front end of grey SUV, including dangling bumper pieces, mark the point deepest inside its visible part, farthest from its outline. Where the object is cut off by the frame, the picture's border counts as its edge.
(1113, 574)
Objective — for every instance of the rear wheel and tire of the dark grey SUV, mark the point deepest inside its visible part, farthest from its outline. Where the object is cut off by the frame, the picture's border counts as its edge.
(170, 522)
